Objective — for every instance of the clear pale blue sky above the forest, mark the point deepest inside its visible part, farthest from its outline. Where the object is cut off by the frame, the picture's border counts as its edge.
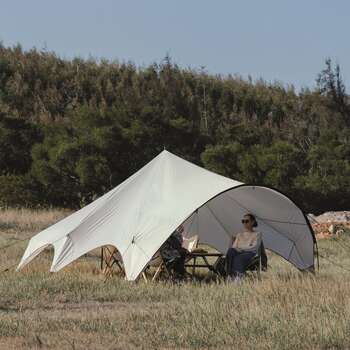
(277, 40)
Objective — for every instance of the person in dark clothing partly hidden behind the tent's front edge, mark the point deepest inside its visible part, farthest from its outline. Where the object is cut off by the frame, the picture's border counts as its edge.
(173, 253)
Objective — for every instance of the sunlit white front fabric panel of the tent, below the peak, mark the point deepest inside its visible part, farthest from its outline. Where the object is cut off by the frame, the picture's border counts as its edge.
(143, 214)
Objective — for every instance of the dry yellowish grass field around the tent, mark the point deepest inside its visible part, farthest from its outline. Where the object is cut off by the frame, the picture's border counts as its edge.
(76, 309)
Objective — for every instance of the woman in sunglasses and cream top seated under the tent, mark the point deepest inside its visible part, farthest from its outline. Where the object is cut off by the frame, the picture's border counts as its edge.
(245, 246)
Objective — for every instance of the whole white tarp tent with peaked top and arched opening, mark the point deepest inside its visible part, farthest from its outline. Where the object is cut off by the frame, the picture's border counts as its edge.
(140, 214)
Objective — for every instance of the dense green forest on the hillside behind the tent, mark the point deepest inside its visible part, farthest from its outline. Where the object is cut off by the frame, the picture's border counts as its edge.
(72, 129)
